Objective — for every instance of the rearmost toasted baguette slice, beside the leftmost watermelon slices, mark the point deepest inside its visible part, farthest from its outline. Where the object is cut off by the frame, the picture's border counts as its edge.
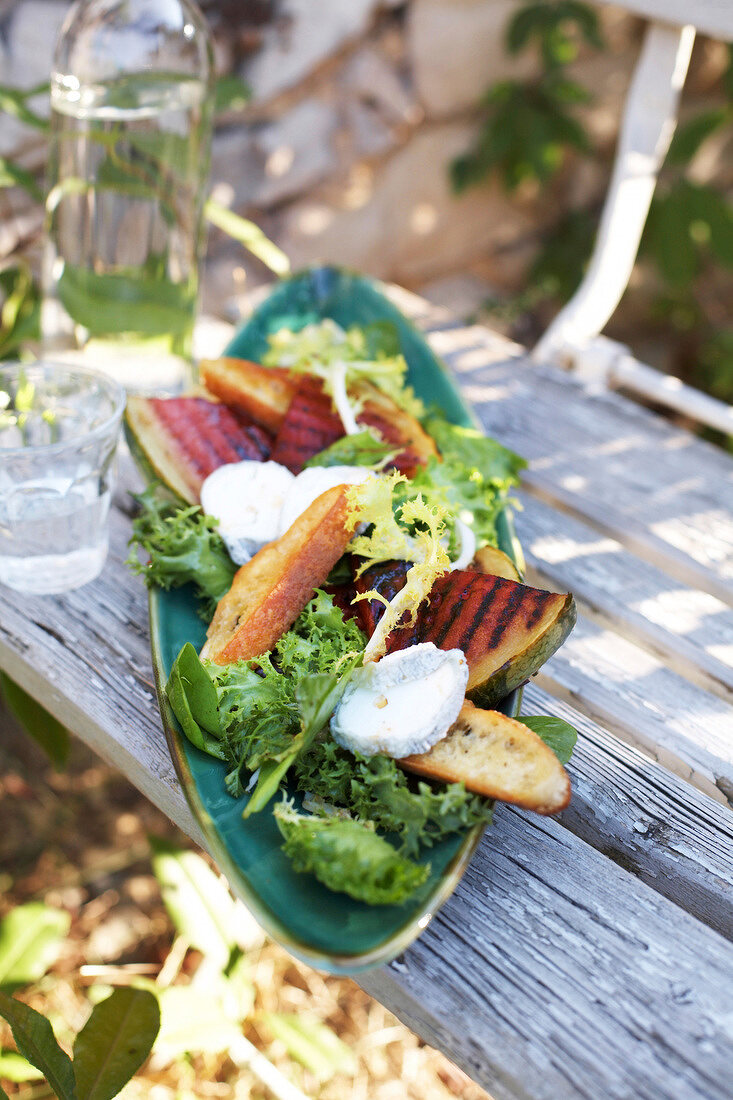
(265, 393)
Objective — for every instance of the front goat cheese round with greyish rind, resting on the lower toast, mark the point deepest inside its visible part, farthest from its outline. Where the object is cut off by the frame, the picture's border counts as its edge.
(403, 705)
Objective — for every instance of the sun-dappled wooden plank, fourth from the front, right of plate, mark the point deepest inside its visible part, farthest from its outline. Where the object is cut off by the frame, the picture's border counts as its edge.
(692, 631)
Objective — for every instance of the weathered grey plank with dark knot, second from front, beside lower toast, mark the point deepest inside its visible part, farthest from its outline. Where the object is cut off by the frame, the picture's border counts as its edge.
(648, 820)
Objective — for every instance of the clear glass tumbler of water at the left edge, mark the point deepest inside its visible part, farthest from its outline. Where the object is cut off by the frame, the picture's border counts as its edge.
(59, 433)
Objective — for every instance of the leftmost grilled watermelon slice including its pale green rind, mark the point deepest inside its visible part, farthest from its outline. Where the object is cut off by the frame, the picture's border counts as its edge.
(182, 441)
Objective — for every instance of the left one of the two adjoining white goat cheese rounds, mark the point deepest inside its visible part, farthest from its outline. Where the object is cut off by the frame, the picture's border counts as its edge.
(247, 499)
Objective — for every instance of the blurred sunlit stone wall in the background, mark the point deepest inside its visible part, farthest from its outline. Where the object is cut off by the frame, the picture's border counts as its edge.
(358, 108)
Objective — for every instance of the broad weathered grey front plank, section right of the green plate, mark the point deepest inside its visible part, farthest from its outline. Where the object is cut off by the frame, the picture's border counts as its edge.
(554, 974)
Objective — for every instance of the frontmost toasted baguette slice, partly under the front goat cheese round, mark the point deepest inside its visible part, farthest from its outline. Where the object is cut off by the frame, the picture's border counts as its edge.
(499, 758)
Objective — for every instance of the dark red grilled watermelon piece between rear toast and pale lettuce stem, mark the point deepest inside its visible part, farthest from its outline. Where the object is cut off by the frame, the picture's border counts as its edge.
(311, 425)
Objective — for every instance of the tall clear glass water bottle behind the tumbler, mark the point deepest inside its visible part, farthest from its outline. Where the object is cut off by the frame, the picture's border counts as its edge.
(129, 163)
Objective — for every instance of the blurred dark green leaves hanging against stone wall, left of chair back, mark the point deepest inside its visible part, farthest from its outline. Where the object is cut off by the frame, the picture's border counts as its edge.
(530, 127)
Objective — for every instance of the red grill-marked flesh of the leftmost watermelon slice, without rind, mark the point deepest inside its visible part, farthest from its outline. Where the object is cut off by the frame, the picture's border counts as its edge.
(210, 435)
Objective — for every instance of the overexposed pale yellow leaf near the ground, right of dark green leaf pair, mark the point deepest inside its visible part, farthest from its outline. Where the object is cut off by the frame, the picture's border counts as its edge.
(193, 1021)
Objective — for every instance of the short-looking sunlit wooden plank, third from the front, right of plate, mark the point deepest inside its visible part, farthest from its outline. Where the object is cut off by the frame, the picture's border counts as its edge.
(634, 695)
